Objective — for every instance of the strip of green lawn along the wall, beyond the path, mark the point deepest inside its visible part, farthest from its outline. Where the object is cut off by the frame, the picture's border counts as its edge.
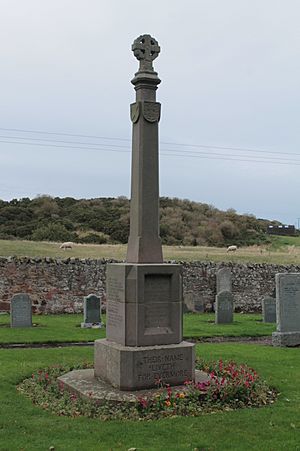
(66, 328)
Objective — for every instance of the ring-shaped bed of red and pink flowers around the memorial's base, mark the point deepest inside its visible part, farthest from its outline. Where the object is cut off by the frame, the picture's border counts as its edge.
(229, 386)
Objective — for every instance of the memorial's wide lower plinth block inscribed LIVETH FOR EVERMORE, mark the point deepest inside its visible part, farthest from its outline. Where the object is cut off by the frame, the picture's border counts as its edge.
(128, 367)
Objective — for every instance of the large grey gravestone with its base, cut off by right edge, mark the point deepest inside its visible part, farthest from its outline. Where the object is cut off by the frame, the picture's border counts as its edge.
(287, 310)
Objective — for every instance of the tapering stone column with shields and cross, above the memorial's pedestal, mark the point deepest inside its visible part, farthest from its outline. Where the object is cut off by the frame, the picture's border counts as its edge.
(144, 245)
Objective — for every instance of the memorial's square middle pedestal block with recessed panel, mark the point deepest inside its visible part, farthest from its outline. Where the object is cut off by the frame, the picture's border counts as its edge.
(144, 304)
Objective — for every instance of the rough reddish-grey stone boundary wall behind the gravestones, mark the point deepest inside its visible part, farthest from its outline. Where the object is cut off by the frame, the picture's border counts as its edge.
(59, 285)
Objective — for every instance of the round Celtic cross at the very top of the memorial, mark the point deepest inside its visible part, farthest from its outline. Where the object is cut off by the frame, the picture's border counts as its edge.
(145, 49)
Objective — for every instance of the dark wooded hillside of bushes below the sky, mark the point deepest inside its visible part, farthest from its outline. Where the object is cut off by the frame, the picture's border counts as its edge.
(106, 220)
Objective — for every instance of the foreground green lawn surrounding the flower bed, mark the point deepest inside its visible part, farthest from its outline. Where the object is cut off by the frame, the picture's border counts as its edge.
(275, 427)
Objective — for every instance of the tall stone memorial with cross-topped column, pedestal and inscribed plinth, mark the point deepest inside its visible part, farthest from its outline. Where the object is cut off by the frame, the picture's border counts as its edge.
(144, 296)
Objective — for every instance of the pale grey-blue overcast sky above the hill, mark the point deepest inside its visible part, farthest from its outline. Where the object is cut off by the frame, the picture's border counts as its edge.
(230, 74)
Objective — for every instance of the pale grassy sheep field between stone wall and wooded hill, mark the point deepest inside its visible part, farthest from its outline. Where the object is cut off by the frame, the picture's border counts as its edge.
(282, 250)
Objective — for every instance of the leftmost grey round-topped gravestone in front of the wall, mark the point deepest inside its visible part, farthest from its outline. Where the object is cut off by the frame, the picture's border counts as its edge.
(21, 311)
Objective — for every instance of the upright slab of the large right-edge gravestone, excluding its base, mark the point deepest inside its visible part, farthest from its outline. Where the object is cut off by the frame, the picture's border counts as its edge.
(288, 302)
